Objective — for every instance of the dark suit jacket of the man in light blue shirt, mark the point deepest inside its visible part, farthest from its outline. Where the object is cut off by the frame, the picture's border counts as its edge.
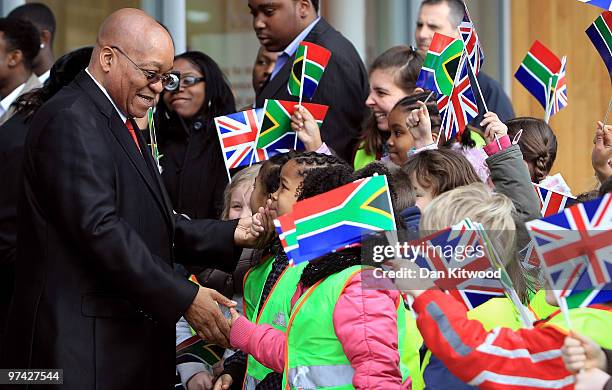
(344, 88)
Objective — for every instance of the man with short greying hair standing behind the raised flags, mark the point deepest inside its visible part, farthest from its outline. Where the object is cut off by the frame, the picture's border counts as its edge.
(444, 17)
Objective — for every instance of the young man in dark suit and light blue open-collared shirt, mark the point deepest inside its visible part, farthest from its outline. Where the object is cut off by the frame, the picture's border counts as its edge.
(280, 27)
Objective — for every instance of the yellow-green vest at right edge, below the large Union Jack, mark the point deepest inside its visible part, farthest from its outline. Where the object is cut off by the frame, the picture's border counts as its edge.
(594, 321)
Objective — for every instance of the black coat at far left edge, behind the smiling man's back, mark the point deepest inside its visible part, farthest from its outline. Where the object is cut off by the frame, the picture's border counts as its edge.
(12, 137)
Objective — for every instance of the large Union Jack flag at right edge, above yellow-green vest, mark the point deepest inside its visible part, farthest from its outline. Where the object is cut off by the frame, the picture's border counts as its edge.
(575, 245)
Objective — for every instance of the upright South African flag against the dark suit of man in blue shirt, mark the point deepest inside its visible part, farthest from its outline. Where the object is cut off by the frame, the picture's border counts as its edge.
(308, 67)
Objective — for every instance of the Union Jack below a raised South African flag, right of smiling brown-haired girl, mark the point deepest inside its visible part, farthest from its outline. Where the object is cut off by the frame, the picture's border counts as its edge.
(460, 108)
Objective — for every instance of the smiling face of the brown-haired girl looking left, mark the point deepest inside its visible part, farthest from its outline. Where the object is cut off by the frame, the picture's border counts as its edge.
(384, 93)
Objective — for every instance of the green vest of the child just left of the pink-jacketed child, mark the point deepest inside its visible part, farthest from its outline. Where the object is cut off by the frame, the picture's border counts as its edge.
(275, 312)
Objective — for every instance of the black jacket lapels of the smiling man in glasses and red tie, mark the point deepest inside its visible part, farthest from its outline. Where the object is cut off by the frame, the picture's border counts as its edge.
(120, 132)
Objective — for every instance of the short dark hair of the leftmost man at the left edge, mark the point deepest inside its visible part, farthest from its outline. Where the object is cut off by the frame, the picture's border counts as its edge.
(23, 36)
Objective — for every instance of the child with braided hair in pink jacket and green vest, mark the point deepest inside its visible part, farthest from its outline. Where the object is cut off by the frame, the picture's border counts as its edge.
(339, 334)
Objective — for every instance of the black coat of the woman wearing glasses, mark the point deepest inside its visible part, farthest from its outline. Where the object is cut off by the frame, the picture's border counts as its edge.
(193, 169)
